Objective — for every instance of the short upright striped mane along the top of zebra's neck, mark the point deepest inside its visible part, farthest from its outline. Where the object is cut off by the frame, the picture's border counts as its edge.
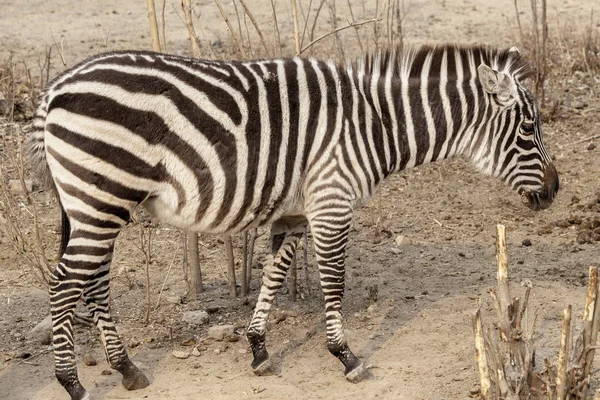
(407, 60)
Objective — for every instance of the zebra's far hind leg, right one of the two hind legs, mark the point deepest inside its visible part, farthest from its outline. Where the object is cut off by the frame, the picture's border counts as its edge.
(97, 299)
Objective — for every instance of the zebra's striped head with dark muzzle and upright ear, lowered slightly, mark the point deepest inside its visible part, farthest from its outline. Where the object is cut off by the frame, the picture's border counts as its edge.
(509, 145)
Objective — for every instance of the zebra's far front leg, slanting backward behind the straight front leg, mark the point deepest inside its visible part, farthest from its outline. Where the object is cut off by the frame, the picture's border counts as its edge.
(285, 235)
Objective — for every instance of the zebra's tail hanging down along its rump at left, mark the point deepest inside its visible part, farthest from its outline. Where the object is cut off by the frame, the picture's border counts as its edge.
(36, 152)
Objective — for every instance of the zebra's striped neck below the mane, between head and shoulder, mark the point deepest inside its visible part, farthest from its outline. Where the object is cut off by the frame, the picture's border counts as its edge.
(412, 122)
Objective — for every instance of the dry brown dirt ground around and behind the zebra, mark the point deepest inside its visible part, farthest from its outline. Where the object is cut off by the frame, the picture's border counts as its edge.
(417, 337)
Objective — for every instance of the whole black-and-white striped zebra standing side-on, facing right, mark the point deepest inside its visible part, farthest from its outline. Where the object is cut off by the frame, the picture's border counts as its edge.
(225, 146)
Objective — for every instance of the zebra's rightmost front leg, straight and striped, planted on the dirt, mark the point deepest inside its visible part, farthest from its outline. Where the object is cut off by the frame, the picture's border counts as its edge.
(330, 235)
